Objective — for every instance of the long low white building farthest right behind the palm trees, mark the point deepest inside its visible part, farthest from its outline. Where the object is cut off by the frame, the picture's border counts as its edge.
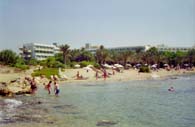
(173, 49)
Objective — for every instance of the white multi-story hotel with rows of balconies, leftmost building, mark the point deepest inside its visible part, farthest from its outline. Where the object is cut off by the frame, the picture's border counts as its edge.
(38, 51)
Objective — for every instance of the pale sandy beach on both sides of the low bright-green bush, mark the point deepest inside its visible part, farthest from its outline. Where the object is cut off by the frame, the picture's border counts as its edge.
(8, 74)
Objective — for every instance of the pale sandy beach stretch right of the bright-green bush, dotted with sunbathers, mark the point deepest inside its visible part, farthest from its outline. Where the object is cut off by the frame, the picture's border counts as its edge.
(125, 75)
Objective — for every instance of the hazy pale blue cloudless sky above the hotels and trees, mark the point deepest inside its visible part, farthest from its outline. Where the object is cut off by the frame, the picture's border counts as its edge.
(110, 23)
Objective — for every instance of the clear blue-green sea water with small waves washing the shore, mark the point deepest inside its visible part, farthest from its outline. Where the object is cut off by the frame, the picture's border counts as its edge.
(145, 103)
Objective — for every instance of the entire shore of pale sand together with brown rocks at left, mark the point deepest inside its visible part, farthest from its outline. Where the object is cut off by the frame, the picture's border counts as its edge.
(17, 83)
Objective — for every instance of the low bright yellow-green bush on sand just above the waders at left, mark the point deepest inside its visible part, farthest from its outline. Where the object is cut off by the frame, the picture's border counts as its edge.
(46, 71)
